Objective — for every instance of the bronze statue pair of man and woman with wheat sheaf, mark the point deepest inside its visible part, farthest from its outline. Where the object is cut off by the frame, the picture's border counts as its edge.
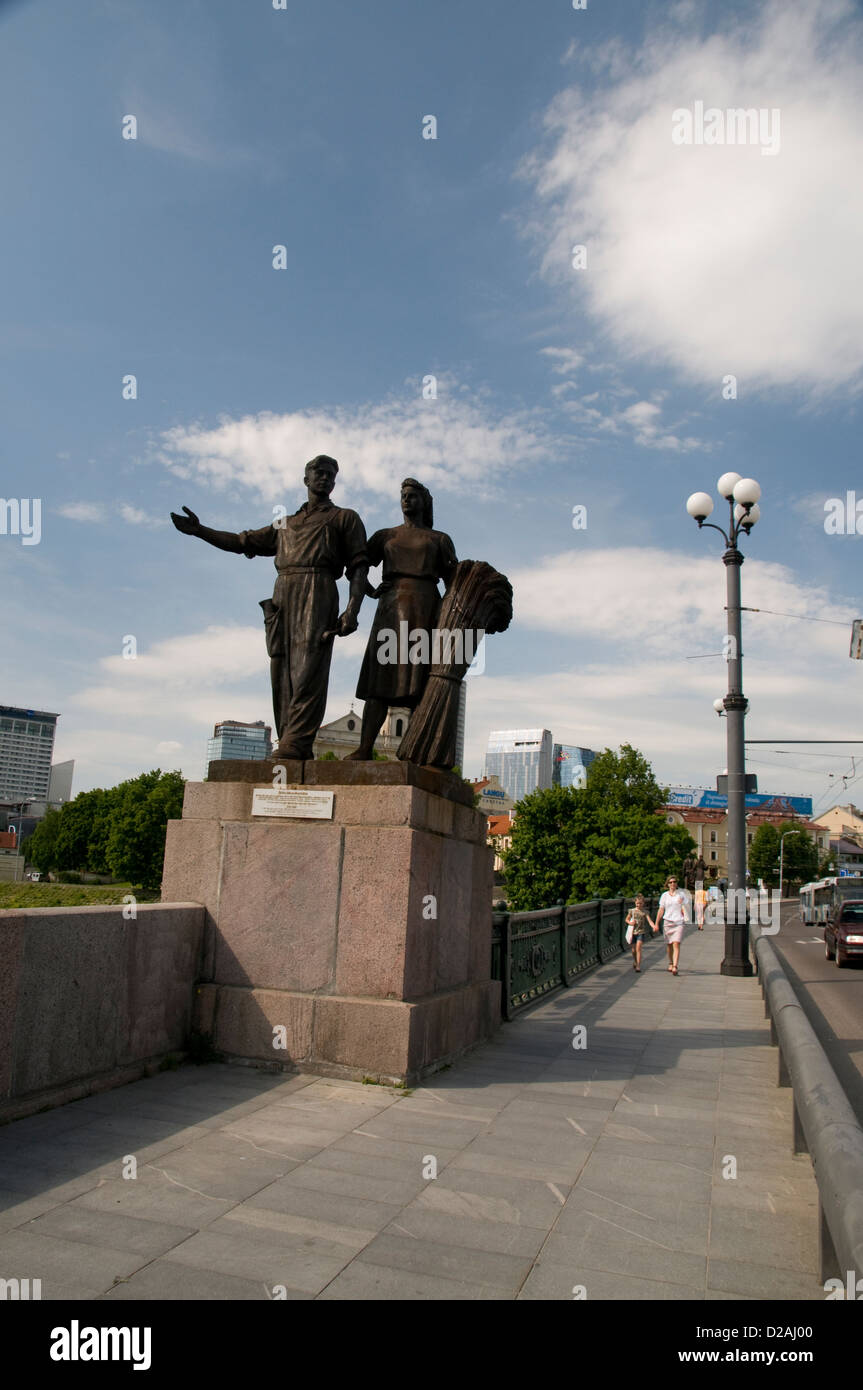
(315, 548)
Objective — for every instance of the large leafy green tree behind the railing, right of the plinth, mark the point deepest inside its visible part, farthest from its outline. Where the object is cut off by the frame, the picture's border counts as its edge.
(602, 842)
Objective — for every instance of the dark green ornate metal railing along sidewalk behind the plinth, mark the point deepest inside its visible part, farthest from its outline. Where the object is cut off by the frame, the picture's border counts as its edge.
(539, 953)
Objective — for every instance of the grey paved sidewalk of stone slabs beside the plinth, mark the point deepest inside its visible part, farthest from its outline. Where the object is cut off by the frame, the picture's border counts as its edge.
(557, 1167)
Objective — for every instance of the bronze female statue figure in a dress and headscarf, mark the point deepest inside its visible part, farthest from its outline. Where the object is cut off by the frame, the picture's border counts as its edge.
(415, 558)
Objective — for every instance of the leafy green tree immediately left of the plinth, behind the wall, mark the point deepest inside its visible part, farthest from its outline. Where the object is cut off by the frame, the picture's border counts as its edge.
(137, 840)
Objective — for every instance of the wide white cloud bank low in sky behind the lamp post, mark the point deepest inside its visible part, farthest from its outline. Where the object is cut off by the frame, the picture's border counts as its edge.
(623, 625)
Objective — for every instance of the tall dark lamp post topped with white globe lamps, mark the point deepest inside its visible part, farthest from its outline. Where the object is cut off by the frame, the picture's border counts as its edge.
(743, 496)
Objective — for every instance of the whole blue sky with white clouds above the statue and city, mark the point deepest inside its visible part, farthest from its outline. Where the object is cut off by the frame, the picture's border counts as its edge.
(405, 258)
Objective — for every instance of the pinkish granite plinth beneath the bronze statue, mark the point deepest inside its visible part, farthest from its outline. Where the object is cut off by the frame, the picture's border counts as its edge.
(362, 943)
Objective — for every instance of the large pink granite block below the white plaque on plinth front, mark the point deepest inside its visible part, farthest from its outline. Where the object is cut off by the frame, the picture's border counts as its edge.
(279, 906)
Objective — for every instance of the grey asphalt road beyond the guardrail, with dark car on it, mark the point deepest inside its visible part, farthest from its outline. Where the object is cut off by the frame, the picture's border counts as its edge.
(832, 999)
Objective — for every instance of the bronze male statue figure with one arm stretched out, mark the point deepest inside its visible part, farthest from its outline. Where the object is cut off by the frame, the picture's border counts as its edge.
(312, 551)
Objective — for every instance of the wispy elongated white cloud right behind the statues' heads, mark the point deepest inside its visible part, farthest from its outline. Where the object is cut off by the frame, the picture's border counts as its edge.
(454, 443)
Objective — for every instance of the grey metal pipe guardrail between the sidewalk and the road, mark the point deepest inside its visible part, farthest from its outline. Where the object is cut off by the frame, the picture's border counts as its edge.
(825, 1125)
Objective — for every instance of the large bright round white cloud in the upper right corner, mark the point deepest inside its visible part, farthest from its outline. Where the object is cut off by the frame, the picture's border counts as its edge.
(716, 259)
